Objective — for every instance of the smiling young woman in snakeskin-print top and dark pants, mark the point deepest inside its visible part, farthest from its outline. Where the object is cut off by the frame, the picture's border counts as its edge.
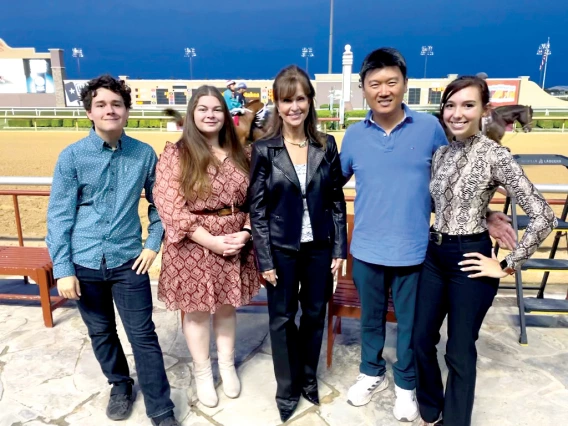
(461, 273)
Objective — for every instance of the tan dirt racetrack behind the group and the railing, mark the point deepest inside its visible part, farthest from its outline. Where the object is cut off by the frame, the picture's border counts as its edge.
(35, 154)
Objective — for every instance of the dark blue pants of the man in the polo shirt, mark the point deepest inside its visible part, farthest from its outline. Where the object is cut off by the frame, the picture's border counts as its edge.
(373, 283)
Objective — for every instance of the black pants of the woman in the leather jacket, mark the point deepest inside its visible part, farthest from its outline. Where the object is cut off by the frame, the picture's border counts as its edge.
(296, 351)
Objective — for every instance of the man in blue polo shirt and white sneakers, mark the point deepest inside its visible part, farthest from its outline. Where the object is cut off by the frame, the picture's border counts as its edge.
(390, 154)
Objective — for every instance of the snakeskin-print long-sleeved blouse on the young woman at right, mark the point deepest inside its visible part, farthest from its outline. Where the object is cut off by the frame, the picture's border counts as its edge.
(466, 174)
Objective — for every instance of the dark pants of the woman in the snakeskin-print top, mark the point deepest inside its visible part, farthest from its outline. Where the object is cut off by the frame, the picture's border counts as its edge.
(446, 290)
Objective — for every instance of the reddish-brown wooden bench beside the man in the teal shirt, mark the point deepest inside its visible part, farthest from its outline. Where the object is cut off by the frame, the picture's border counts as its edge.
(35, 263)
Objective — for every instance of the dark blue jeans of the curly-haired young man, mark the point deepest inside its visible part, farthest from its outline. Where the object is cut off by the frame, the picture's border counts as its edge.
(133, 298)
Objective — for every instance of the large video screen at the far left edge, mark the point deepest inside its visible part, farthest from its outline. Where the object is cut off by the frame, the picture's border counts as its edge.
(26, 76)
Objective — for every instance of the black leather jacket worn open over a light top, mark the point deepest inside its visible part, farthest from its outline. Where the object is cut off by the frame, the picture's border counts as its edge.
(275, 199)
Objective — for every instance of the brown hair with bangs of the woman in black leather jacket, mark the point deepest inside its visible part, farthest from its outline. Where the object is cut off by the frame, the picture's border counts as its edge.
(285, 86)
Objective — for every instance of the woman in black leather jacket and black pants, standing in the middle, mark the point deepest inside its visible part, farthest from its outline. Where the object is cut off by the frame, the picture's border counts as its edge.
(298, 219)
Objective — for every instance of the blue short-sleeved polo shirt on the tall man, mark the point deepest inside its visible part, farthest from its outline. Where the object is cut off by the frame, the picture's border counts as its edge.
(392, 176)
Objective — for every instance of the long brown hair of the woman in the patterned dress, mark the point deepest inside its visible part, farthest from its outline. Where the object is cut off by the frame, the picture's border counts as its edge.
(194, 152)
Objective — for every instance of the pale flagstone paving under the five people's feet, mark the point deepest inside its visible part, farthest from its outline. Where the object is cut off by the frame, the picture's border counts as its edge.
(50, 376)
